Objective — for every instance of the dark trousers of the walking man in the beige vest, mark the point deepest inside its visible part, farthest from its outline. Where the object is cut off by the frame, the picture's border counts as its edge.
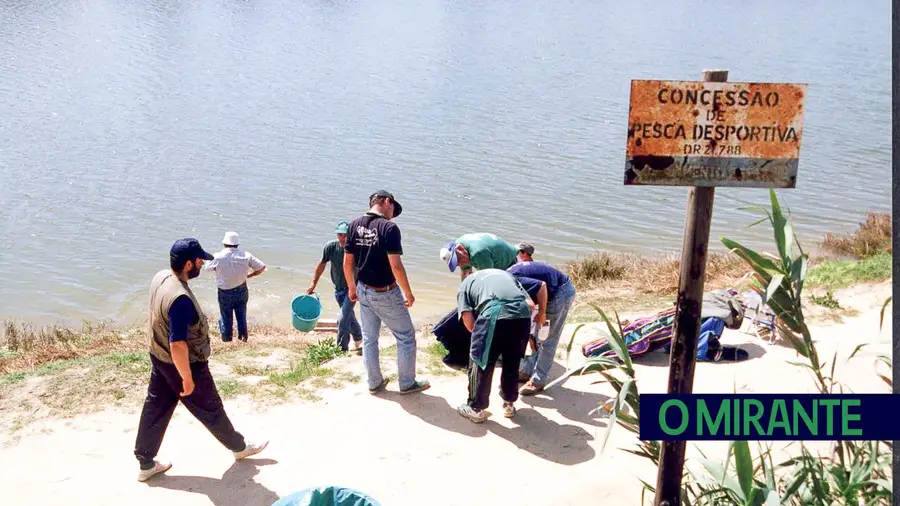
(163, 395)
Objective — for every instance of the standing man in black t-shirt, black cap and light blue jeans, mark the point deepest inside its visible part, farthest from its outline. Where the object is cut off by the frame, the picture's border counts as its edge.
(373, 252)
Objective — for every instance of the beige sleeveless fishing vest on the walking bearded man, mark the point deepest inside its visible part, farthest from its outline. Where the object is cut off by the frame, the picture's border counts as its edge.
(164, 289)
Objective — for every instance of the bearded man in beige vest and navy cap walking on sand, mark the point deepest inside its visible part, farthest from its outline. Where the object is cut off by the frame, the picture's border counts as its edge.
(179, 350)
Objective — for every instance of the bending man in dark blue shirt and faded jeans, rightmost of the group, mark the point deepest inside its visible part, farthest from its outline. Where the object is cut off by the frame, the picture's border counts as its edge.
(560, 297)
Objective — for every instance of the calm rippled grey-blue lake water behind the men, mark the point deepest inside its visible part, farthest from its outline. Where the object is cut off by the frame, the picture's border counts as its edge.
(126, 125)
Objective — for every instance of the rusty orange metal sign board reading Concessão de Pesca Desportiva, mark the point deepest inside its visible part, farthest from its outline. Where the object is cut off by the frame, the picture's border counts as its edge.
(697, 133)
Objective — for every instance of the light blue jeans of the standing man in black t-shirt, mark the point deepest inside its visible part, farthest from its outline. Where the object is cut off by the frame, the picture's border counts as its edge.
(387, 307)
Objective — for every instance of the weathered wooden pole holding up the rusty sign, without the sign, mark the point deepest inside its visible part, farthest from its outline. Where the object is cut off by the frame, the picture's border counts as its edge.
(687, 322)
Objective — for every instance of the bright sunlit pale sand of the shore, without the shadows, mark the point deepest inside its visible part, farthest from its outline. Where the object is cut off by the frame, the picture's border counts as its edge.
(412, 450)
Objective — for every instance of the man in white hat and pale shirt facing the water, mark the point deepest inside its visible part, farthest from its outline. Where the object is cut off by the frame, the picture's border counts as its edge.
(233, 267)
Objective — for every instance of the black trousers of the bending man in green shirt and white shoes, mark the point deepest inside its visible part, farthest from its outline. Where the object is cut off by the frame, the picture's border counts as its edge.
(510, 339)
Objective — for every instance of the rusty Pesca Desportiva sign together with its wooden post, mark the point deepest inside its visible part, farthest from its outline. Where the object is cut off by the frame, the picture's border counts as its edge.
(705, 134)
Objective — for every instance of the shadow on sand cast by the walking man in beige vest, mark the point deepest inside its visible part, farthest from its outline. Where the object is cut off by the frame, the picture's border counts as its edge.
(235, 488)
